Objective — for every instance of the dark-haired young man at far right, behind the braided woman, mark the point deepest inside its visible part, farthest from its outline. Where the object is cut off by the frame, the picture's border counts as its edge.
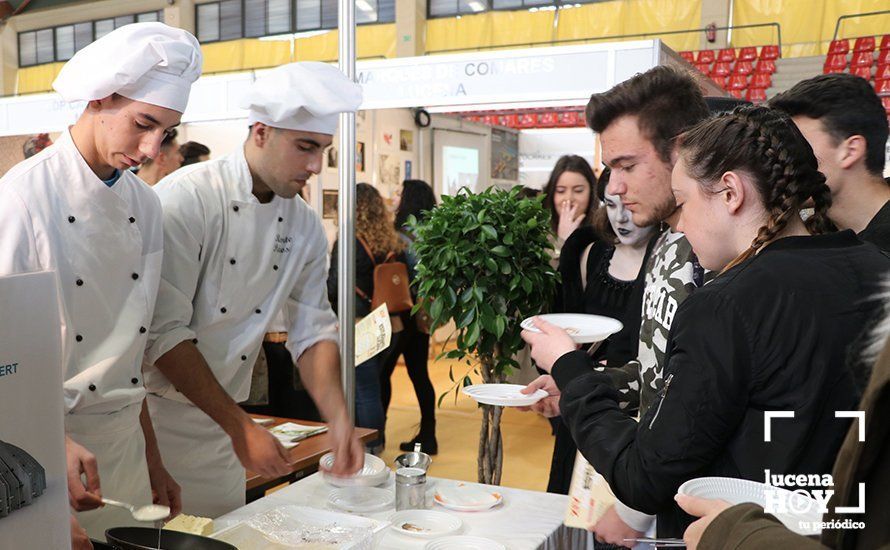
(843, 119)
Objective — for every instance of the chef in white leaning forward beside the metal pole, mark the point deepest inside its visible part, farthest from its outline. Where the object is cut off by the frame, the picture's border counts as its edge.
(240, 246)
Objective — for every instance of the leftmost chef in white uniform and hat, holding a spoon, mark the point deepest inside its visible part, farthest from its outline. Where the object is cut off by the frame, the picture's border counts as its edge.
(76, 208)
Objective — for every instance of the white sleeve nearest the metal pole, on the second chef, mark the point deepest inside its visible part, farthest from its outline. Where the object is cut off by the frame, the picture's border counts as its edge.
(311, 318)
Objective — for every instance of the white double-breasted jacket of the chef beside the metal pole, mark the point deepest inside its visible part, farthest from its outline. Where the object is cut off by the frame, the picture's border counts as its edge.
(230, 265)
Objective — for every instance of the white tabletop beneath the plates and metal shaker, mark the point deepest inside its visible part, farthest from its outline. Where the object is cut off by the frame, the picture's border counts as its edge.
(526, 520)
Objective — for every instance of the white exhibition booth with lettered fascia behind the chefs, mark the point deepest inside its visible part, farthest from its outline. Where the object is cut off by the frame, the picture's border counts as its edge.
(450, 152)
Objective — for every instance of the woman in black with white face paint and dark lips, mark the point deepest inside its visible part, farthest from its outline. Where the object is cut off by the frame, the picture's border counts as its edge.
(600, 267)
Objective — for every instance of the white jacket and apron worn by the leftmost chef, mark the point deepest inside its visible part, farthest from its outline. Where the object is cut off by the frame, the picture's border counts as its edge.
(105, 245)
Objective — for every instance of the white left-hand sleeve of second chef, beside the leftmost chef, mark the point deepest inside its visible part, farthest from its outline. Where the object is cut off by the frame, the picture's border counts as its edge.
(183, 235)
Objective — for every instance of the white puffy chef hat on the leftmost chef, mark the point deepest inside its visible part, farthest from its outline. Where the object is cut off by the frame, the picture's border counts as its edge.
(148, 62)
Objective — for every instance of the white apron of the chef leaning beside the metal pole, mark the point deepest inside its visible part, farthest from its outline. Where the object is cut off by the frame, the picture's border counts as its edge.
(200, 457)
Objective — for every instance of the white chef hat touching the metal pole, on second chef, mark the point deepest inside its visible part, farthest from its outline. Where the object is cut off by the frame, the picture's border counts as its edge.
(305, 96)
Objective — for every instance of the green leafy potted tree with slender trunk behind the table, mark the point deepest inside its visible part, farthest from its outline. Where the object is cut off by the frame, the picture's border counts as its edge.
(484, 261)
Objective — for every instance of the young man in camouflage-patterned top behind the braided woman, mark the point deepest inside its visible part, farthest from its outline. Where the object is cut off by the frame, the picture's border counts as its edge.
(637, 121)
